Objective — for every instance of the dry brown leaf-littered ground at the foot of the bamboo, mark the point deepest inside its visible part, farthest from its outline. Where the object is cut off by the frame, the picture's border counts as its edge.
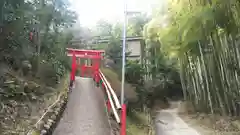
(207, 124)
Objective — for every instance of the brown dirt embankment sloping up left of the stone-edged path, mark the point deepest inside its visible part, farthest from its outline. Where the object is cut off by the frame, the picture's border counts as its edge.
(22, 101)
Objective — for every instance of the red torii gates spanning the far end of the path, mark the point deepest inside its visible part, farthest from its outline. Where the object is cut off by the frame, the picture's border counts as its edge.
(94, 55)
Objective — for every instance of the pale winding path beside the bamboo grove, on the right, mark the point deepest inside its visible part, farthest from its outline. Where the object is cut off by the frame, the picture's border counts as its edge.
(169, 123)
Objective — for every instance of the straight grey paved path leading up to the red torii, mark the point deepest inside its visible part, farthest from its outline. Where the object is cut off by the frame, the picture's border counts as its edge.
(85, 113)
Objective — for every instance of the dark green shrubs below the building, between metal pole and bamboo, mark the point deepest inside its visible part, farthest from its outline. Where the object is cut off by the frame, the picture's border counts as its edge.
(165, 81)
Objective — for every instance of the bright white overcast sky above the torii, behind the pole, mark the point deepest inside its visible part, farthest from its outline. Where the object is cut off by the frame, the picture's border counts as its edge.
(90, 11)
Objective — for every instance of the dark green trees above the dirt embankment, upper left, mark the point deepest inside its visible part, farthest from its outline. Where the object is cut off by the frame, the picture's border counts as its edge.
(49, 22)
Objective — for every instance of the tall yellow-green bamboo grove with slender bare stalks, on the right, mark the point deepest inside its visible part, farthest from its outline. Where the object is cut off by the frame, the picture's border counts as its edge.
(203, 36)
